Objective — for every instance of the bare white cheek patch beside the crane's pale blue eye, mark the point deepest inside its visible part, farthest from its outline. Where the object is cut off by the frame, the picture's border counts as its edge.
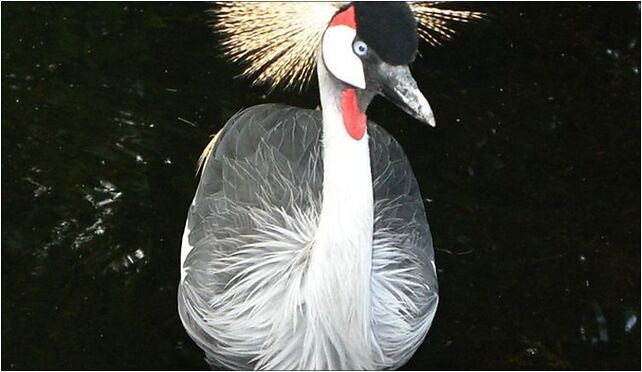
(339, 57)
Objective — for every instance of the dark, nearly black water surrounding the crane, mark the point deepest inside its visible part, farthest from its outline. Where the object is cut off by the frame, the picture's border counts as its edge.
(533, 177)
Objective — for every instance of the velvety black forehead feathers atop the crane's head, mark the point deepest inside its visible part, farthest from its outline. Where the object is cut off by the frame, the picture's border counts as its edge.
(388, 27)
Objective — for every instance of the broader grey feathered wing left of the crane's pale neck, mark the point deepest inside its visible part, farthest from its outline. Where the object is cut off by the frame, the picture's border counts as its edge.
(253, 214)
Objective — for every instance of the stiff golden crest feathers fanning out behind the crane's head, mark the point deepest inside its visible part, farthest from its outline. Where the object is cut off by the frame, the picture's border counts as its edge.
(278, 42)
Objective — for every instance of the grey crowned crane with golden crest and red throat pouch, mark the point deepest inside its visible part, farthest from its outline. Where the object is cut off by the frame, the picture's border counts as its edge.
(306, 245)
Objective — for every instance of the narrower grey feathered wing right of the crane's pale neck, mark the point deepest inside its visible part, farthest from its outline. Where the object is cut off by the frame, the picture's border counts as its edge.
(404, 281)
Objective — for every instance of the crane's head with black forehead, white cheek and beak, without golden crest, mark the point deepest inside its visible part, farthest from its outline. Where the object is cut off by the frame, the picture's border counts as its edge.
(369, 45)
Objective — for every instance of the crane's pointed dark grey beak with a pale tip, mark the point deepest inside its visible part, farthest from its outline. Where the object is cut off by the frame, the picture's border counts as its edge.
(401, 88)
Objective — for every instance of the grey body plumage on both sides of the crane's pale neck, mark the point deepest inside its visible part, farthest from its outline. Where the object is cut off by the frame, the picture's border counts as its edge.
(258, 203)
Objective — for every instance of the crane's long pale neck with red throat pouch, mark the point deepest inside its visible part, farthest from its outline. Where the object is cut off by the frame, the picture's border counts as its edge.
(340, 265)
